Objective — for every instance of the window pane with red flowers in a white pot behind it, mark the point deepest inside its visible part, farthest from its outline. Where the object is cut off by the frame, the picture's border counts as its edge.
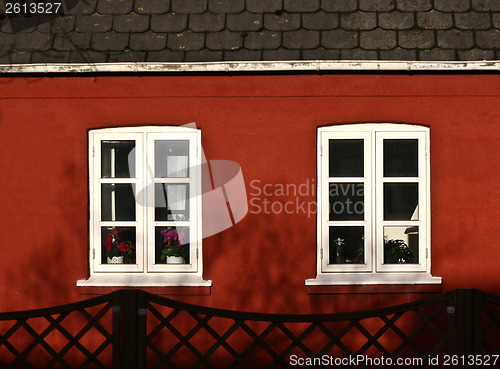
(118, 245)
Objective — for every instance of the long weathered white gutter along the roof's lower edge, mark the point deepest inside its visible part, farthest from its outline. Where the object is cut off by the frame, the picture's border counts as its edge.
(255, 66)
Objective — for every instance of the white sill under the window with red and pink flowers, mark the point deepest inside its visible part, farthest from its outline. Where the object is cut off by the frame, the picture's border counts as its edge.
(144, 280)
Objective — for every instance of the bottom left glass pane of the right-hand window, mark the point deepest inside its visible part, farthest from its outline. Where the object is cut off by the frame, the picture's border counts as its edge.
(347, 245)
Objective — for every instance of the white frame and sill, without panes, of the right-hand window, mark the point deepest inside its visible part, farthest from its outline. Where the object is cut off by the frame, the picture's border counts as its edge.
(374, 271)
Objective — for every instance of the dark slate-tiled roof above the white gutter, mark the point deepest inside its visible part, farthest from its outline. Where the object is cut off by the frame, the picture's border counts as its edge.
(253, 30)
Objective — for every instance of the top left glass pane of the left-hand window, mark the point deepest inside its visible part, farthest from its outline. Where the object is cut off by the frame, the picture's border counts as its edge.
(115, 159)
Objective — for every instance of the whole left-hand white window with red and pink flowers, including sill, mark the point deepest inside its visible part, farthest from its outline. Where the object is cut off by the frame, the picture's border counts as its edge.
(145, 207)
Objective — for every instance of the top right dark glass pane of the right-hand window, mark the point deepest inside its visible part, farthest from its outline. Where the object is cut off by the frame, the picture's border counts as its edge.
(400, 158)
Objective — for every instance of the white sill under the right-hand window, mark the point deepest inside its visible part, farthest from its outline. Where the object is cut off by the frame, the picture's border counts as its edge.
(342, 279)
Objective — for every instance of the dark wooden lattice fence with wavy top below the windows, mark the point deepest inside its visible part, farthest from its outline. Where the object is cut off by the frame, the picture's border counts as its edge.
(135, 329)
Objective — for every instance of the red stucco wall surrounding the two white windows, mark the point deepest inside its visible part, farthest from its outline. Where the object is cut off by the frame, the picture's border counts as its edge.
(268, 125)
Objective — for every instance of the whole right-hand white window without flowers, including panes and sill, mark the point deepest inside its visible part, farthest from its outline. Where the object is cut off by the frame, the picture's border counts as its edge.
(373, 205)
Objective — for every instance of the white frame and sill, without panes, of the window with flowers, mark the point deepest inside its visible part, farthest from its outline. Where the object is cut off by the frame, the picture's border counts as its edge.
(145, 272)
